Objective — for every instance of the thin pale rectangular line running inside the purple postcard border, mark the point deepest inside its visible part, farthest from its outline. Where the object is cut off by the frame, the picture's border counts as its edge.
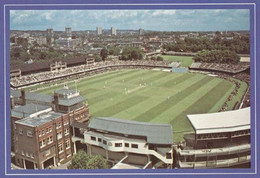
(141, 4)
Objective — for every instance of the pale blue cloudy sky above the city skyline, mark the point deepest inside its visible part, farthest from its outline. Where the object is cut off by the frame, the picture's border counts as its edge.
(158, 20)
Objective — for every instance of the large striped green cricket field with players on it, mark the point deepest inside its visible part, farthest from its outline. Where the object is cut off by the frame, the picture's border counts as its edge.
(166, 97)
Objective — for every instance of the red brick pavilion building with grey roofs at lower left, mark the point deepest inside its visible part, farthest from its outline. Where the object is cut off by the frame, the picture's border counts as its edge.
(41, 133)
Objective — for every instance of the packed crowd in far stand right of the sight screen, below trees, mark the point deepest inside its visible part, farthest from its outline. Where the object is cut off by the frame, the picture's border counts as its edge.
(230, 68)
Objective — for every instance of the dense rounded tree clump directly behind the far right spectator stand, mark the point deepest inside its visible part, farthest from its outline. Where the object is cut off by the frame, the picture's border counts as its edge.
(216, 56)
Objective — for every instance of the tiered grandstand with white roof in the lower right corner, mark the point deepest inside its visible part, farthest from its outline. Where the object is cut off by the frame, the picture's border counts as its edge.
(220, 140)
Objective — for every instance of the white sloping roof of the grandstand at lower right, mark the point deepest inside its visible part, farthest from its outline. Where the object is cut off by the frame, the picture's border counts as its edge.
(228, 121)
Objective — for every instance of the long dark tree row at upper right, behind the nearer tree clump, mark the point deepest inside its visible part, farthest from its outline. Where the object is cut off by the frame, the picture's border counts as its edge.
(240, 45)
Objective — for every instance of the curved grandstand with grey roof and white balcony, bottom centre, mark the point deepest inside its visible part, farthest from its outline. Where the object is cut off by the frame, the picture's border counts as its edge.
(130, 144)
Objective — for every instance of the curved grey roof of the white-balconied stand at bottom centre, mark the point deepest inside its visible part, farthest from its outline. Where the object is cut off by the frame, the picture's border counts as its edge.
(155, 133)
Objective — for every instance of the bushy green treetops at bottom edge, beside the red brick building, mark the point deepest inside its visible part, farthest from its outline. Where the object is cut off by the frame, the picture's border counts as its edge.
(83, 161)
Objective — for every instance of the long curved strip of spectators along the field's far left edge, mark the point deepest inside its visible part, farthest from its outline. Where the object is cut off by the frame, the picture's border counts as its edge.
(99, 67)
